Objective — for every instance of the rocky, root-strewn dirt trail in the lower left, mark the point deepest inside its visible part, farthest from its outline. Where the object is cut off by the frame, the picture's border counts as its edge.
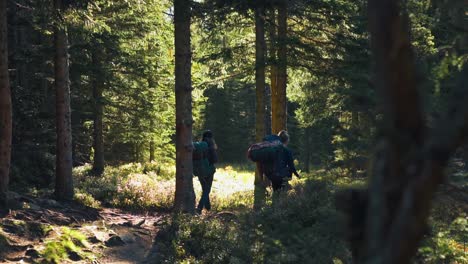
(111, 235)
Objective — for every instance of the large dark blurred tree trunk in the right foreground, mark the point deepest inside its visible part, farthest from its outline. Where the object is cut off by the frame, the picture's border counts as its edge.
(404, 131)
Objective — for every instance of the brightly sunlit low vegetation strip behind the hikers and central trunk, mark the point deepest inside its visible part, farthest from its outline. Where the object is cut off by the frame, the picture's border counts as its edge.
(149, 186)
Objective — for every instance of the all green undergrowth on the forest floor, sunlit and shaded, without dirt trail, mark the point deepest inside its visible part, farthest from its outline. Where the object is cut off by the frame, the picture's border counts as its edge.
(297, 226)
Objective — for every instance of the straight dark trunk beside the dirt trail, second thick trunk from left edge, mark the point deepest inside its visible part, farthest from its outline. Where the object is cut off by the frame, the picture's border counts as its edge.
(64, 179)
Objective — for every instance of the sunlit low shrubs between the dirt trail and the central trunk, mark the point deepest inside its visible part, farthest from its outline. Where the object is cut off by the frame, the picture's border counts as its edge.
(130, 186)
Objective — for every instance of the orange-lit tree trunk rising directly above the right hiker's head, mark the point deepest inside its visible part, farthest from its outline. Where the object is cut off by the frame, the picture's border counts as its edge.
(279, 101)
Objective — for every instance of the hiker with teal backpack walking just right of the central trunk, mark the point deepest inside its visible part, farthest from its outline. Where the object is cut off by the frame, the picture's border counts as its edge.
(204, 158)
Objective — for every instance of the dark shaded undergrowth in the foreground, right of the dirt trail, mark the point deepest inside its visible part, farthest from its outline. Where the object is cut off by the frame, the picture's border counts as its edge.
(294, 226)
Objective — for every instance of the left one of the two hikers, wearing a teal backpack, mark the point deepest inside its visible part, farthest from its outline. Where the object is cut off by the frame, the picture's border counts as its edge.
(205, 177)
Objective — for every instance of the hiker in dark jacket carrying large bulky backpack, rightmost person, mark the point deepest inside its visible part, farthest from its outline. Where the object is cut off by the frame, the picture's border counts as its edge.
(275, 158)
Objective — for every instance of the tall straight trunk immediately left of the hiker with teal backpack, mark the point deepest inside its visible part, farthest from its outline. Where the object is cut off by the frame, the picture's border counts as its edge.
(184, 194)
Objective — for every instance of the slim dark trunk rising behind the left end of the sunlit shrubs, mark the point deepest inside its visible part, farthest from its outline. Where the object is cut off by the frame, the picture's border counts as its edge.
(98, 140)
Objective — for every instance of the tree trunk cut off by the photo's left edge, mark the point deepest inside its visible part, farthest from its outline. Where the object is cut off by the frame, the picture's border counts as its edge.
(5, 107)
